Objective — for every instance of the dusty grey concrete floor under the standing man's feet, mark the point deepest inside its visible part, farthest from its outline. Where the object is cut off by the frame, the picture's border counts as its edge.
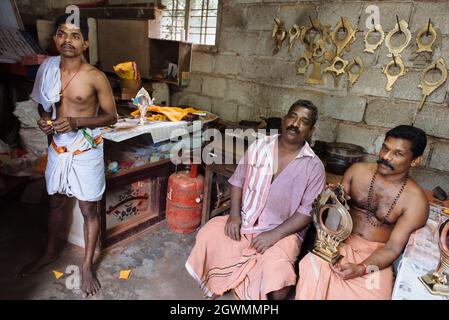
(155, 256)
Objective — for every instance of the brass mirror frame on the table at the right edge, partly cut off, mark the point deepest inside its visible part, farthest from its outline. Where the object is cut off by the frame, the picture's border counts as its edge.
(437, 282)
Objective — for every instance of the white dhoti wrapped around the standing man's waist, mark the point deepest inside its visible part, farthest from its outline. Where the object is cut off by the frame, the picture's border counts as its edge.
(74, 167)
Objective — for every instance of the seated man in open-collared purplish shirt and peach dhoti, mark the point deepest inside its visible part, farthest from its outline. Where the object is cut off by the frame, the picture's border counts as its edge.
(253, 250)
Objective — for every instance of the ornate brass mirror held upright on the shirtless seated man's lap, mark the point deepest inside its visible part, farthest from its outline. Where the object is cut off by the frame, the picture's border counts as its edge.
(333, 223)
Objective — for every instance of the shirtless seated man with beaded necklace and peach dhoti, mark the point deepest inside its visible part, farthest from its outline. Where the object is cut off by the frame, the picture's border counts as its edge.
(386, 206)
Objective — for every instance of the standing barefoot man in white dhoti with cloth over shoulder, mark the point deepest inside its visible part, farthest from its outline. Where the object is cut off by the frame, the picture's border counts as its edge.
(76, 143)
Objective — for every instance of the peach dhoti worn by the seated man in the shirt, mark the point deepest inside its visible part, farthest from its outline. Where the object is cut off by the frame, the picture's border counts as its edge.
(220, 264)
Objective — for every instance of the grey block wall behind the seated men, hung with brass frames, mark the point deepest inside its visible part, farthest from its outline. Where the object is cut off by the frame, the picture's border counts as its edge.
(243, 80)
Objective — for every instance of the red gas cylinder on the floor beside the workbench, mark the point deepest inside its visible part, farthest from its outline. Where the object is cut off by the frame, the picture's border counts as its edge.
(184, 200)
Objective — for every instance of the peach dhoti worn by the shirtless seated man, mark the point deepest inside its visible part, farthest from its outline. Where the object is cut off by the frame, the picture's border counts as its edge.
(317, 281)
